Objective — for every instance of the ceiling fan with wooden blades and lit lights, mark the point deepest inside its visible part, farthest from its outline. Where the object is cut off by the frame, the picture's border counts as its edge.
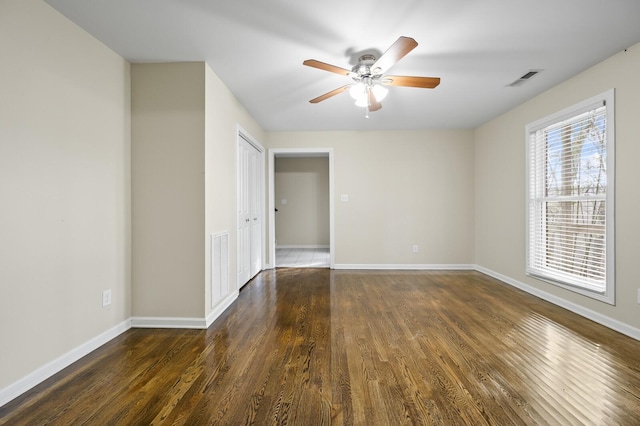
(368, 74)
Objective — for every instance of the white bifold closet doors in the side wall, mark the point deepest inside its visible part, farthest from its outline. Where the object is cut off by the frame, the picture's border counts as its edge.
(249, 209)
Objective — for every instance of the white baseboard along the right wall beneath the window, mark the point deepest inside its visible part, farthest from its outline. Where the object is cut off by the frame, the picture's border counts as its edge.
(609, 322)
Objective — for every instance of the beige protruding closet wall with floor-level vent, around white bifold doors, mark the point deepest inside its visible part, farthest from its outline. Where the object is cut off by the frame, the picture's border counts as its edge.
(184, 131)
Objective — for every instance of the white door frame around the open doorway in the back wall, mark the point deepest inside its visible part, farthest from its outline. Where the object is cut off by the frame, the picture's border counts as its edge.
(298, 152)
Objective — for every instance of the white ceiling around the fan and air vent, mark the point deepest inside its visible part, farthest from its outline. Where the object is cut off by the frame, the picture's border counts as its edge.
(476, 47)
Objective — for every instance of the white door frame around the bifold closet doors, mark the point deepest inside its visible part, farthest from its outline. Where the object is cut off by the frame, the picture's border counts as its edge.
(242, 134)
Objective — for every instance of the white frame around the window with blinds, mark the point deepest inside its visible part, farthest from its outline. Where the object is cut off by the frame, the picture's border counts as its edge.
(608, 295)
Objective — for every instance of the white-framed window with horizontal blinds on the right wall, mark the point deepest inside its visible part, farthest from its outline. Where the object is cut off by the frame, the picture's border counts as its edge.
(570, 218)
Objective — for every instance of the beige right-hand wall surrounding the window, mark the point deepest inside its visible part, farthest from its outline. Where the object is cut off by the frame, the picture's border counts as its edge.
(500, 174)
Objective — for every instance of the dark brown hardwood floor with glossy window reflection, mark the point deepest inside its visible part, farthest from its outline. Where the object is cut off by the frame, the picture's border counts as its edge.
(320, 347)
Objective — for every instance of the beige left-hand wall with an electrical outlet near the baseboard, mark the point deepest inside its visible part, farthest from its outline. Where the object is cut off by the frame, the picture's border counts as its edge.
(64, 187)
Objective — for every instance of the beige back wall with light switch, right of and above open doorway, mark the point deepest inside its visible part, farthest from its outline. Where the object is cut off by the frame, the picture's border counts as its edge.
(404, 188)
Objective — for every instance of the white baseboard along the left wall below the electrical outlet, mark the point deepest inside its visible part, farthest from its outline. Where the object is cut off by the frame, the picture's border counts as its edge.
(41, 374)
